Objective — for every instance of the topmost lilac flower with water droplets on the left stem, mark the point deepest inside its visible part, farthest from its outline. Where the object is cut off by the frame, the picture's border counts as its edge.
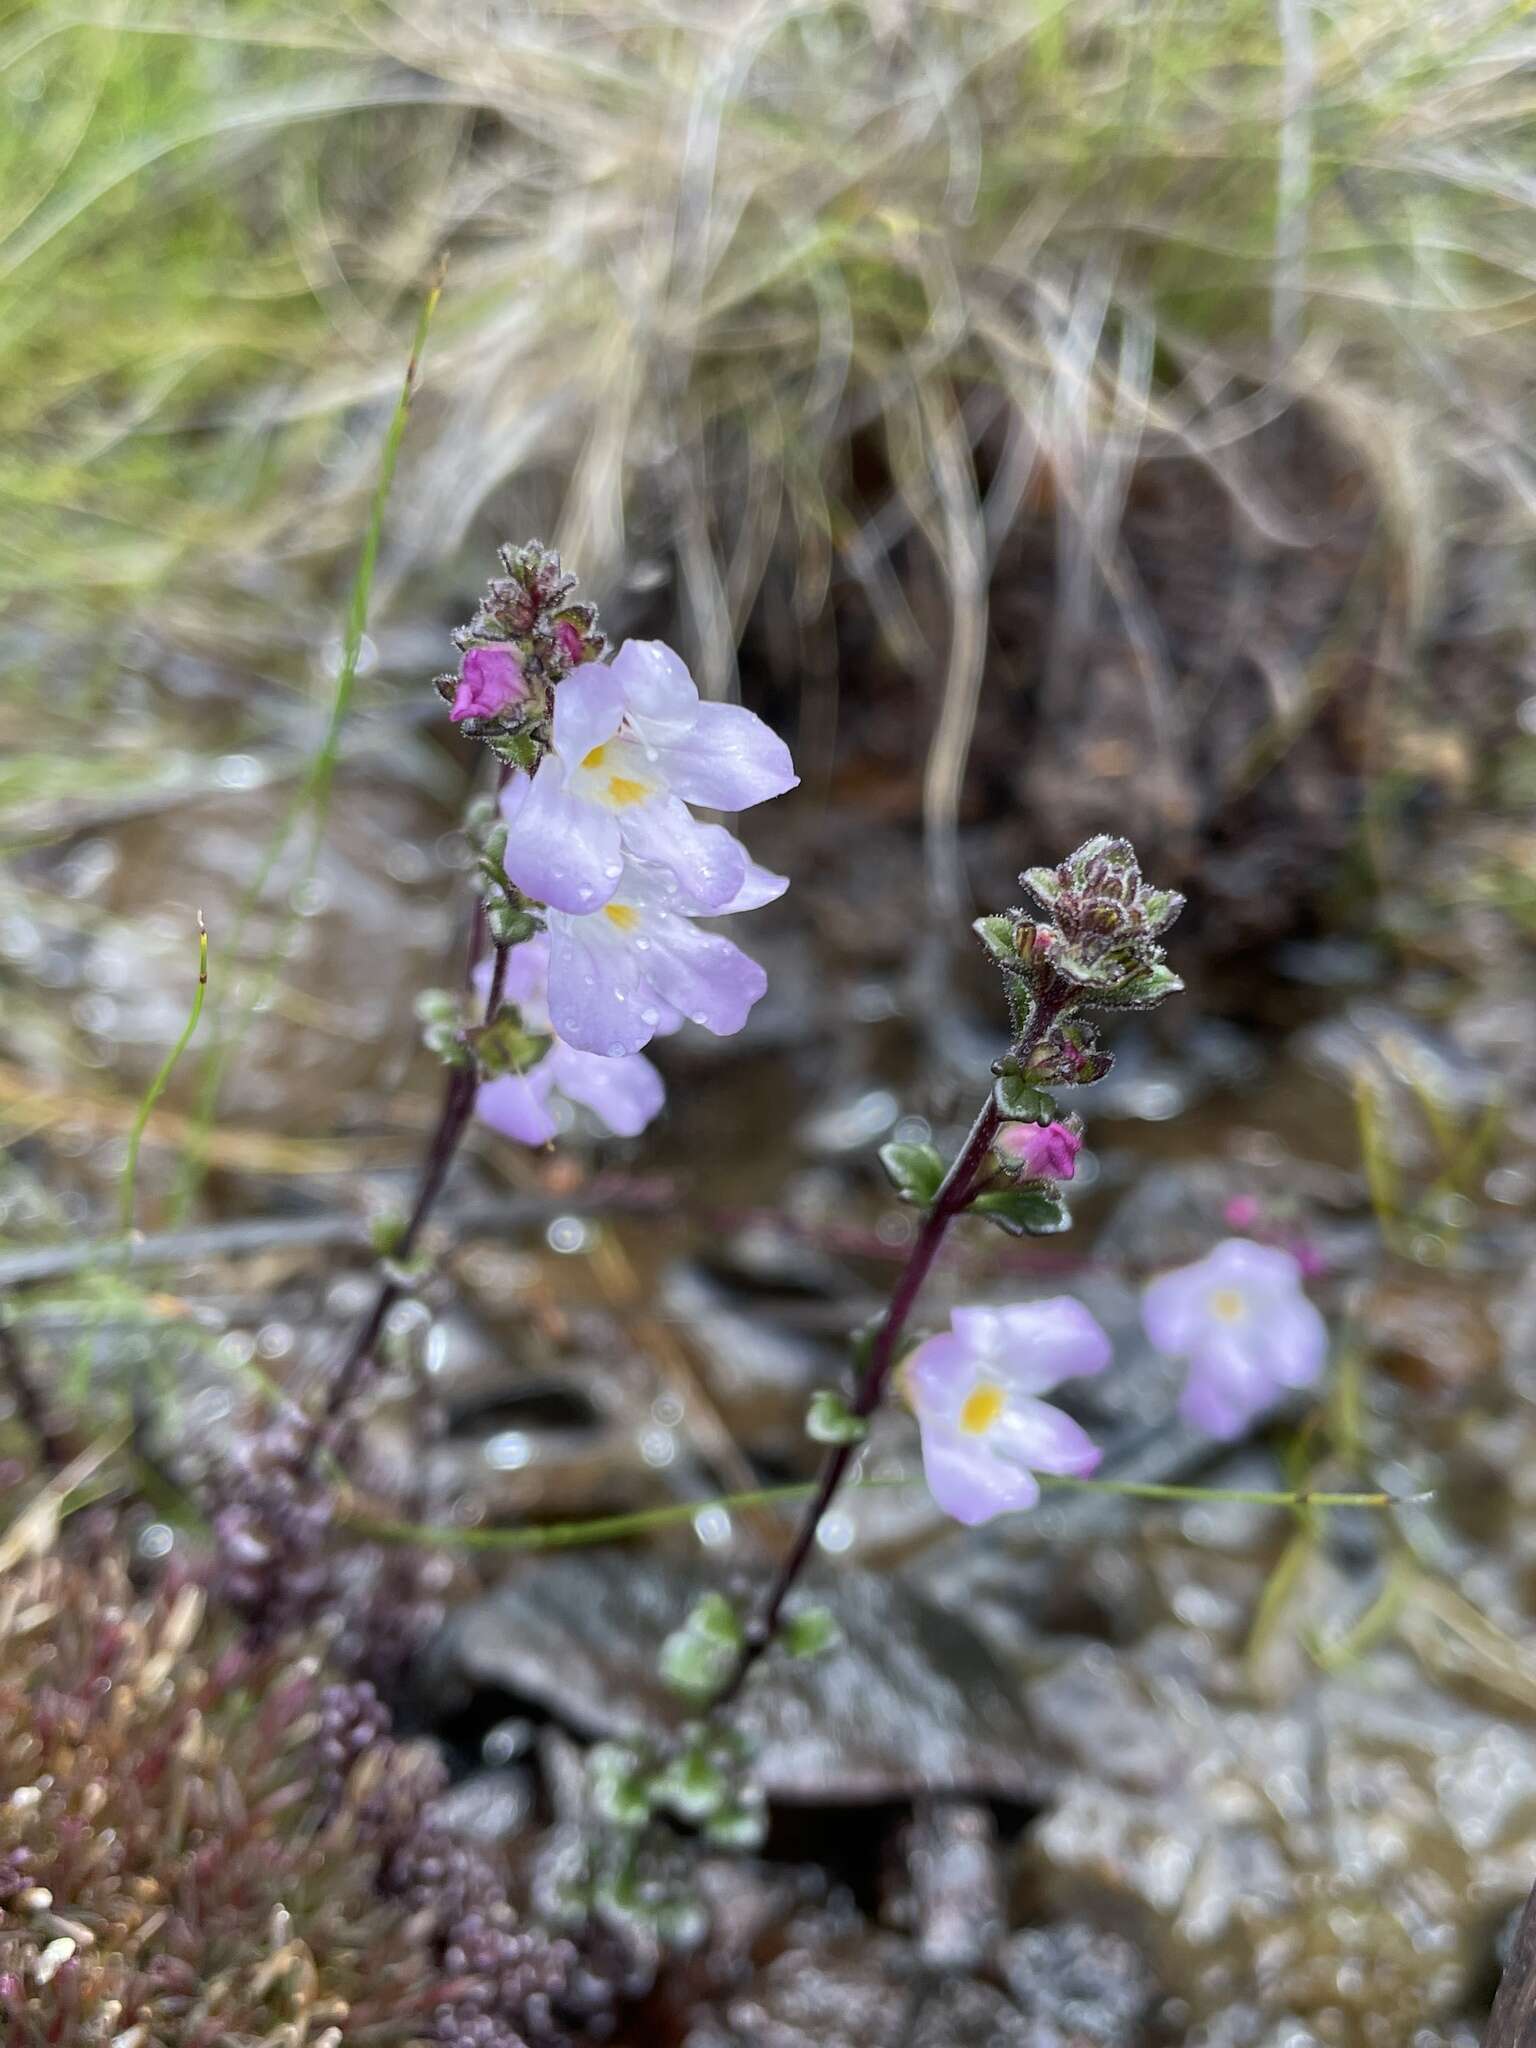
(632, 749)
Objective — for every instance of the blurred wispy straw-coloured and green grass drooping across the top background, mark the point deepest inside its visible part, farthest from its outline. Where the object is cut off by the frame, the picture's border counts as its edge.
(826, 292)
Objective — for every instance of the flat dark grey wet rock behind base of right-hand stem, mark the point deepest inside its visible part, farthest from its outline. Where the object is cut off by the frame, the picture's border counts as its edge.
(912, 1703)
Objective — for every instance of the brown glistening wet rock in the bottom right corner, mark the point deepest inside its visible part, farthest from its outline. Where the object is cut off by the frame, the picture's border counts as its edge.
(1334, 1865)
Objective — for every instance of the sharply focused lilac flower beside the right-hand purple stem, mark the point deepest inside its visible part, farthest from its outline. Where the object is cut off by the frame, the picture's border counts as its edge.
(976, 1392)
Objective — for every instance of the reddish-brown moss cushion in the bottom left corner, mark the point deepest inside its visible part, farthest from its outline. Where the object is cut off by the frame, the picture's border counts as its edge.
(208, 1844)
